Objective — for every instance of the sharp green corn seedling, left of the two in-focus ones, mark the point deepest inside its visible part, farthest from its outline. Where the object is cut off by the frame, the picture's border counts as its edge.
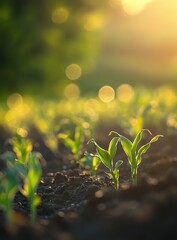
(106, 157)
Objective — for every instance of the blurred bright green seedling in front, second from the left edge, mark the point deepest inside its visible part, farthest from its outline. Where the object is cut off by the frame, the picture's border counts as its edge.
(31, 181)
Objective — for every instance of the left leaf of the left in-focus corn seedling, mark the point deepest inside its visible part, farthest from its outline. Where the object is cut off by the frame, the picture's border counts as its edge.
(103, 155)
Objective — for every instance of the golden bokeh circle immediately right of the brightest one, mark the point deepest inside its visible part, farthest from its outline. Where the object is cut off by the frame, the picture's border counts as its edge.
(125, 92)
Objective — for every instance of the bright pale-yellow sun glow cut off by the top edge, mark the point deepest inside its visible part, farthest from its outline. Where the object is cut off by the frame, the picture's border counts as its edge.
(133, 7)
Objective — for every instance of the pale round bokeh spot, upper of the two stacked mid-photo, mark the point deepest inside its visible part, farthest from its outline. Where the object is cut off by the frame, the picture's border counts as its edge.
(73, 71)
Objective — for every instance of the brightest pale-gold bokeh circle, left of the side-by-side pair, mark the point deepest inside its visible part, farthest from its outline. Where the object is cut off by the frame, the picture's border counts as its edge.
(106, 94)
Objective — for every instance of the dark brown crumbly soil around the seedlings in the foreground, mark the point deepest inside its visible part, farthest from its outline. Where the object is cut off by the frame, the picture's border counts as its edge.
(76, 206)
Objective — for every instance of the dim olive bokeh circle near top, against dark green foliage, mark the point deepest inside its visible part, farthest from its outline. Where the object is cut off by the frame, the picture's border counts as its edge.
(60, 15)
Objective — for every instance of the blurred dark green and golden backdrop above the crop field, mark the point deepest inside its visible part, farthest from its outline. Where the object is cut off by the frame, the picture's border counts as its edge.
(63, 47)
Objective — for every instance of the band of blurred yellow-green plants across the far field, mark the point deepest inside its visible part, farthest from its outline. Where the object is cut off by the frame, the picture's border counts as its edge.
(144, 109)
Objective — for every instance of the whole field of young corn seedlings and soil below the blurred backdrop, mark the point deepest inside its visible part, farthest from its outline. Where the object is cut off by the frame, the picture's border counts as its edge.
(57, 182)
